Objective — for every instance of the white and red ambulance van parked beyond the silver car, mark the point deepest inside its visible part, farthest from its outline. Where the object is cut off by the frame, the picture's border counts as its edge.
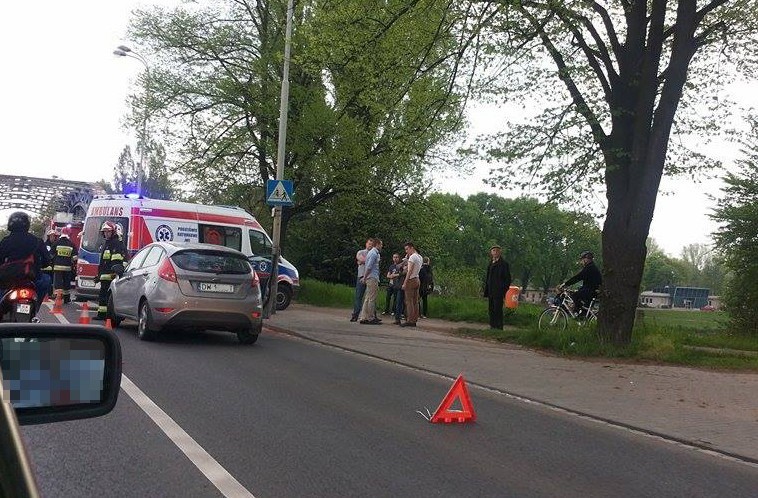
(142, 221)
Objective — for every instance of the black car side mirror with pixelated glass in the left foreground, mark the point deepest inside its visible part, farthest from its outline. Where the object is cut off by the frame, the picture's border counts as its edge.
(52, 373)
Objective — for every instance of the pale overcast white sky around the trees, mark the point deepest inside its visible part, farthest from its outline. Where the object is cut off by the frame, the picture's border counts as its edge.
(64, 98)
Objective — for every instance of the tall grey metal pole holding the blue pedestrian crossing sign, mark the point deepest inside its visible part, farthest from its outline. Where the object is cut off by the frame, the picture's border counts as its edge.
(283, 108)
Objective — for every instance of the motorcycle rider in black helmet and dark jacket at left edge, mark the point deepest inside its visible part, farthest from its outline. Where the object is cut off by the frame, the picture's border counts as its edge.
(19, 245)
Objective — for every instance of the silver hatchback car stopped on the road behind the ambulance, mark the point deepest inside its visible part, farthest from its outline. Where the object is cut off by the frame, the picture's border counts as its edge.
(199, 286)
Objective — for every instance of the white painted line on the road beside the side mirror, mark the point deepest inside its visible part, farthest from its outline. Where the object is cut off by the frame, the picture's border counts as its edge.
(205, 463)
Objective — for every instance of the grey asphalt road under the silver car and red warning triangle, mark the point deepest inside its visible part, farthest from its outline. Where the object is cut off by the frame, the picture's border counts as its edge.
(290, 418)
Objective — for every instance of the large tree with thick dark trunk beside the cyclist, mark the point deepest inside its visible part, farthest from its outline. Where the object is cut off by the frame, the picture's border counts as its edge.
(616, 78)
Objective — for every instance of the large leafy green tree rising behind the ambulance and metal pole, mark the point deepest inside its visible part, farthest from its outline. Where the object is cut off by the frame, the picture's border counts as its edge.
(373, 88)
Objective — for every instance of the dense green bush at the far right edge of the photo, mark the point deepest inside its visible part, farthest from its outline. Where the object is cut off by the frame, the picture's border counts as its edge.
(737, 238)
